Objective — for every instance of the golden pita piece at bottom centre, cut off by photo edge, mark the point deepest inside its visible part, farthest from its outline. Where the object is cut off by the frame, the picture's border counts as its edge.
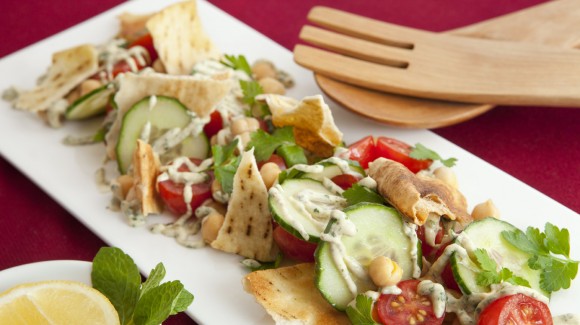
(289, 295)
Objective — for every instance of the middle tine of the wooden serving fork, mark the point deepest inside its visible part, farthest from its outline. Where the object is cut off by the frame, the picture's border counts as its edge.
(357, 48)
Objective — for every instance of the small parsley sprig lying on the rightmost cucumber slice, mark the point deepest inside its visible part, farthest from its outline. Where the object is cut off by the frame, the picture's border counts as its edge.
(490, 273)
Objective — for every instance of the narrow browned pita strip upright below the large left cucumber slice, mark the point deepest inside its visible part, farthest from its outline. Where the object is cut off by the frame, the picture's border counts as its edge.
(145, 170)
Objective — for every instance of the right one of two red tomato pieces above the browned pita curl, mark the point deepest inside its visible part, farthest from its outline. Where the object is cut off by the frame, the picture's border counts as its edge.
(399, 151)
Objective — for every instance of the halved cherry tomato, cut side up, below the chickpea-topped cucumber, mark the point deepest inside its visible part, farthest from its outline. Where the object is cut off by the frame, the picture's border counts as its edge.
(408, 307)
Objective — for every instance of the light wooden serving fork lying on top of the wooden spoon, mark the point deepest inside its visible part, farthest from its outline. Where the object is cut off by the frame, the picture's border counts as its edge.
(396, 59)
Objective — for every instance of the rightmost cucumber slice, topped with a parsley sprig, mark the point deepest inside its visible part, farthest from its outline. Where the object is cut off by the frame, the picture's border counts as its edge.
(486, 234)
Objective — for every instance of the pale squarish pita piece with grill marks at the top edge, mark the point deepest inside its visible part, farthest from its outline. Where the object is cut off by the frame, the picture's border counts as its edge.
(179, 38)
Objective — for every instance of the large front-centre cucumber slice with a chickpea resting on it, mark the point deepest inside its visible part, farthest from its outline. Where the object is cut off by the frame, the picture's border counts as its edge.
(380, 232)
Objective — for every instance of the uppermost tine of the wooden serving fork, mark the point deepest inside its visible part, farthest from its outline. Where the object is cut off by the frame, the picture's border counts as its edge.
(364, 27)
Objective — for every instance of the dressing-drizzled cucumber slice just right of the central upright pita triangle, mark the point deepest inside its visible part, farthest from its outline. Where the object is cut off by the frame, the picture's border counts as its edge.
(288, 213)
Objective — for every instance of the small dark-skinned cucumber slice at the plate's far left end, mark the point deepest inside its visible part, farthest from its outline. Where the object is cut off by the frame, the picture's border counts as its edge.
(91, 104)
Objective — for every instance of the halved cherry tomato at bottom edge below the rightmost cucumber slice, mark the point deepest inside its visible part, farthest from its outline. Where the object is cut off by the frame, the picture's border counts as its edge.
(516, 309)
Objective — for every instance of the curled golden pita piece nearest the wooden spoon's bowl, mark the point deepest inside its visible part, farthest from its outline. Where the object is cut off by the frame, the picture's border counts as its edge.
(314, 127)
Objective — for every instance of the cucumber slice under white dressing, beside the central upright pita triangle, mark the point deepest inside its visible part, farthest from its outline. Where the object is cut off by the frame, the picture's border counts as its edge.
(286, 213)
